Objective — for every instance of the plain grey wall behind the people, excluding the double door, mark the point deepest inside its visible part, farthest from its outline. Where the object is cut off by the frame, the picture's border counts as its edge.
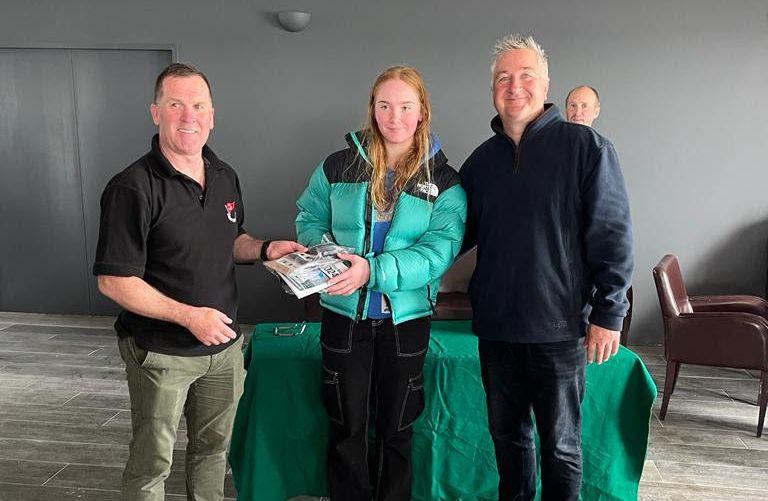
(683, 85)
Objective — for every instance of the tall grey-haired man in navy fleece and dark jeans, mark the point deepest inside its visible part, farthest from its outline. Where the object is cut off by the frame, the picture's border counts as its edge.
(550, 216)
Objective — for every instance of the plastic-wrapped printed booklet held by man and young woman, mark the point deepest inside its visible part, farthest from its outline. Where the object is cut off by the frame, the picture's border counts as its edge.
(305, 273)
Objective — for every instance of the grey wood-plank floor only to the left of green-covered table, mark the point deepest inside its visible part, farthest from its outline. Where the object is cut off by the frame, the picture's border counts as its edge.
(65, 413)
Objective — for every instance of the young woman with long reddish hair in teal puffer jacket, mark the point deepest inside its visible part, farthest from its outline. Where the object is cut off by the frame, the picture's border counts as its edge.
(391, 196)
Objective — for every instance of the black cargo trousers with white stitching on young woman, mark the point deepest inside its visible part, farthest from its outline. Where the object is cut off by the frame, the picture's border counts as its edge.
(372, 374)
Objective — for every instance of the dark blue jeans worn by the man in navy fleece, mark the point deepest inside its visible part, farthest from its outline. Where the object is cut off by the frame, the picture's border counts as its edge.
(548, 379)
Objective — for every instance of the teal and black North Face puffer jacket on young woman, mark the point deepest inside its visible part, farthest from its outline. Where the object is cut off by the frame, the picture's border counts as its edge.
(424, 237)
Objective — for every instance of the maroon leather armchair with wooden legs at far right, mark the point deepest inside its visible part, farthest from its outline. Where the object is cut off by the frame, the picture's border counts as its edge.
(720, 331)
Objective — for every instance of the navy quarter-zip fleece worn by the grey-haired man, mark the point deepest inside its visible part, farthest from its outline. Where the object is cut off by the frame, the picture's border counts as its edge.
(551, 221)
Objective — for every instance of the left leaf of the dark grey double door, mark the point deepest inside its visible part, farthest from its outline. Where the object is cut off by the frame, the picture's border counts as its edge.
(42, 240)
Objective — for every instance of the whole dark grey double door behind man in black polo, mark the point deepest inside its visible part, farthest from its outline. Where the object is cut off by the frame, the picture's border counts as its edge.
(69, 120)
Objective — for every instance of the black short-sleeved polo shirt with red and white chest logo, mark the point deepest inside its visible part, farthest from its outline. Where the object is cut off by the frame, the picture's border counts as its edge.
(160, 225)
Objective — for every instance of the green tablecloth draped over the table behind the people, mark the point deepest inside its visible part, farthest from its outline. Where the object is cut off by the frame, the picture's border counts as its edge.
(280, 432)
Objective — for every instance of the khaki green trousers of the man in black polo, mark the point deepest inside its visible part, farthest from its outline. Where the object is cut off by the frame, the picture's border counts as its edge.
(206, 390)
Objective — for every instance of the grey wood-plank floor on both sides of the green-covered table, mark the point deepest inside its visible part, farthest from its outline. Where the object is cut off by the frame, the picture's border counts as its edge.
(65, 421)
